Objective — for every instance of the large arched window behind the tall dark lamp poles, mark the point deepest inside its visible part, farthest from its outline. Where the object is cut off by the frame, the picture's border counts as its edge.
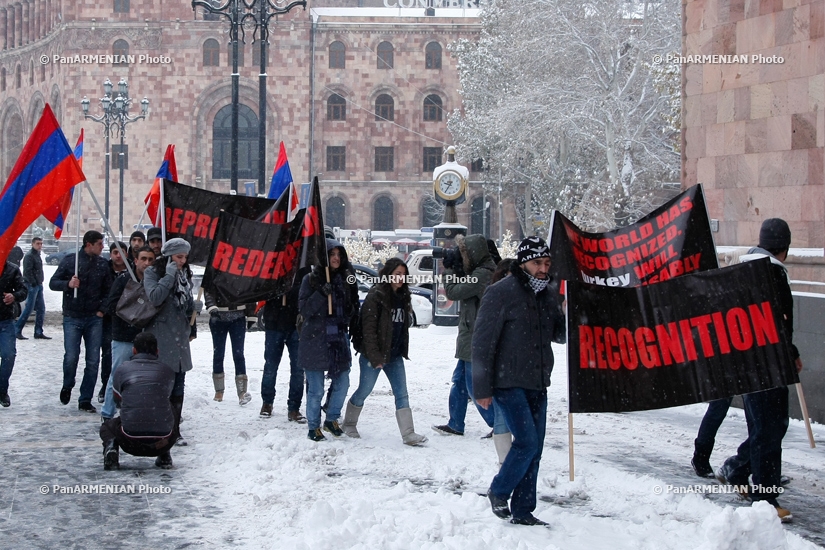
(247, 143)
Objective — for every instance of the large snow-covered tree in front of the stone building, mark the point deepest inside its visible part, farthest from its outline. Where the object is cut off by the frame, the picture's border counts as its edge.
(563, 97)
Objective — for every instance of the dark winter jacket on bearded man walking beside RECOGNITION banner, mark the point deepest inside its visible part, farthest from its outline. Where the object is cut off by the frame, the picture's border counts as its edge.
(513, 332)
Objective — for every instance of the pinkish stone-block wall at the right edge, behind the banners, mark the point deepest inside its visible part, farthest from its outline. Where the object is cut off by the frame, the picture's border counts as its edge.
(754, 133)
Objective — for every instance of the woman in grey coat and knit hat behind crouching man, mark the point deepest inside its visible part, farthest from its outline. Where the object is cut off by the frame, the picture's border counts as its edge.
(168, 285)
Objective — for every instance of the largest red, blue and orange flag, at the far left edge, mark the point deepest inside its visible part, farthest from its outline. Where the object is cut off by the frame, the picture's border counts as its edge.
(45, 171)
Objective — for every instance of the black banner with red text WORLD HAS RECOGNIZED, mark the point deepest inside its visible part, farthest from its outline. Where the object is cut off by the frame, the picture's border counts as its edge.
(672, 240)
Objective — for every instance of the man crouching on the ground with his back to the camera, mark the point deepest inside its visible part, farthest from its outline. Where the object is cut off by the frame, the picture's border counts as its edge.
(147, 425)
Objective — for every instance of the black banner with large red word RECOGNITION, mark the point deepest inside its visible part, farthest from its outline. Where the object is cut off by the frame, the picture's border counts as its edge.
(695, 338)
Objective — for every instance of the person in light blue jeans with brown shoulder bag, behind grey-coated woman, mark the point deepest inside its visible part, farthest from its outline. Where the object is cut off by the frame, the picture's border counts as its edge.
(123, 334)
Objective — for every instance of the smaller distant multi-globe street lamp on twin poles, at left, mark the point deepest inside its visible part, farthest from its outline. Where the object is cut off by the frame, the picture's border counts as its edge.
(115, 118)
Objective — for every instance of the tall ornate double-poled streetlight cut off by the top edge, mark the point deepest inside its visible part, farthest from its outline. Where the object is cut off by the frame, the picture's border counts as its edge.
(255, 15)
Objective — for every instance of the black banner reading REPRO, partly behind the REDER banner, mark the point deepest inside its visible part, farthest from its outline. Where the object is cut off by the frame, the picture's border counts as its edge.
(192, 214)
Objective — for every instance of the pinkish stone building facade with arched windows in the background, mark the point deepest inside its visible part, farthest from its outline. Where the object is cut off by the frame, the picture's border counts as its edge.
(359, 93)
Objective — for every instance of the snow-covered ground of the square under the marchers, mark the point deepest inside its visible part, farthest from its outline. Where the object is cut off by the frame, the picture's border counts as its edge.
(249, 482)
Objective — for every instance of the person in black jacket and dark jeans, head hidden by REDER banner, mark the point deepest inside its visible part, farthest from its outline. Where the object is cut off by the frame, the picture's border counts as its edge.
(280, 316)
